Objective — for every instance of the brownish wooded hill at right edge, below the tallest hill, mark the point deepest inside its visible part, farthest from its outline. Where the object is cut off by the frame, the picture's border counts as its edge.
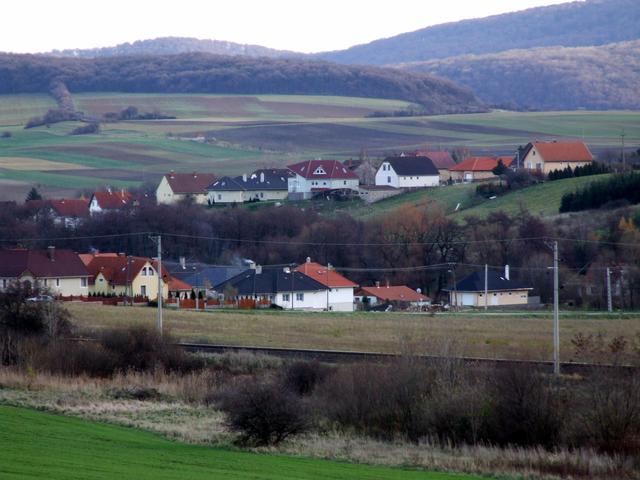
(556, 78)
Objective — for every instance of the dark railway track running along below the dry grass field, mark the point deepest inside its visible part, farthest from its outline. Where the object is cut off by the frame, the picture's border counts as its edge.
(342, 356)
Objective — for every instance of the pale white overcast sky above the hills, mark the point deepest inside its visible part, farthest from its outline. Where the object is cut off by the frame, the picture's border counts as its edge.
(304, 26)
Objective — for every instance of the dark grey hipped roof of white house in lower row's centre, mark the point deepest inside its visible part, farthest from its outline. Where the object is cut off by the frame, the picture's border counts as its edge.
(271, 281)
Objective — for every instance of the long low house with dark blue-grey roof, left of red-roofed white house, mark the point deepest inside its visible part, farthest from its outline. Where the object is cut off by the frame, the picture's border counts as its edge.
(261, 185)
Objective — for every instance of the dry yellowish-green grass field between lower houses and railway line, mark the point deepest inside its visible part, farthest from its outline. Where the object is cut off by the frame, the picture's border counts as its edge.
(498, 335)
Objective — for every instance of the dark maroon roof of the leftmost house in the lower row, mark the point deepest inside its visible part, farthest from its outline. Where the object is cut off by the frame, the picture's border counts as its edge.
(41, 263)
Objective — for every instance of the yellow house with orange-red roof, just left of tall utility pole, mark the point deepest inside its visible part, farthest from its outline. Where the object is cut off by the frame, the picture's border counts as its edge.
(120, 274)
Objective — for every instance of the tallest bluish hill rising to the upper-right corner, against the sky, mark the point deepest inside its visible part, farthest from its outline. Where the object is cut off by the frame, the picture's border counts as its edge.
(588, 23)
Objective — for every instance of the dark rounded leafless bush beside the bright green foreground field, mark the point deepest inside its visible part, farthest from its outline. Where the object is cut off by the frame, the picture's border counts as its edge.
(264, 412)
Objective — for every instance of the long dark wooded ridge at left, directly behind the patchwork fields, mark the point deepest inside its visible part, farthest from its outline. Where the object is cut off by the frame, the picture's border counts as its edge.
(204, 73)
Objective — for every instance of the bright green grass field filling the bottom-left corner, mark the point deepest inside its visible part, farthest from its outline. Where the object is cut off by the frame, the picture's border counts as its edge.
(42, 445)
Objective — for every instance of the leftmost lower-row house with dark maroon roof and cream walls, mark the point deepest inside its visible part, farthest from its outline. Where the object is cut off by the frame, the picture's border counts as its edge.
(60, 271)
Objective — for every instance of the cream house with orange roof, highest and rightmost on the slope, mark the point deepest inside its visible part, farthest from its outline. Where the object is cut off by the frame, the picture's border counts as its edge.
(547, 157)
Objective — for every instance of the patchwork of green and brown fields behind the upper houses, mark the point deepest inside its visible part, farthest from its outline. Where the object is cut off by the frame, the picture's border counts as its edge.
(246, 132)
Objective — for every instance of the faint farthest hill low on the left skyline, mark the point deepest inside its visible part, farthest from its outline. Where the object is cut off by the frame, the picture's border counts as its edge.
(172, 46)
